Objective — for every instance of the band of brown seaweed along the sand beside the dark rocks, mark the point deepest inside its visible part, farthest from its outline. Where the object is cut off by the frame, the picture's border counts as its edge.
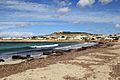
(43, 61)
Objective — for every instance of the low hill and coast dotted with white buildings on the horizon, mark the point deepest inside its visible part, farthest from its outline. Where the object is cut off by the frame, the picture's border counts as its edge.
(72, 36)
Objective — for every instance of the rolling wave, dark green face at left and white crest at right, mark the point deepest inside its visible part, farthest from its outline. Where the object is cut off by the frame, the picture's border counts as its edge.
(26, 49)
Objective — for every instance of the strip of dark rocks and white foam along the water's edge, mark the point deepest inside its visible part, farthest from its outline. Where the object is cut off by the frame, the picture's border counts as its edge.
(54, 51)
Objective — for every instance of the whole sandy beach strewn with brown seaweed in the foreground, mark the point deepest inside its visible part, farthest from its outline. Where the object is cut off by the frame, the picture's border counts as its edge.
(101, 63)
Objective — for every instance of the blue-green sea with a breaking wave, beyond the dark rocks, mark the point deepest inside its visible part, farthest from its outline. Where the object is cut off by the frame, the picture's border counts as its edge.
(7, 49)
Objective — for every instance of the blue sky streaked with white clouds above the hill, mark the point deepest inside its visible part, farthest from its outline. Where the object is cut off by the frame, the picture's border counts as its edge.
(22, 18)
